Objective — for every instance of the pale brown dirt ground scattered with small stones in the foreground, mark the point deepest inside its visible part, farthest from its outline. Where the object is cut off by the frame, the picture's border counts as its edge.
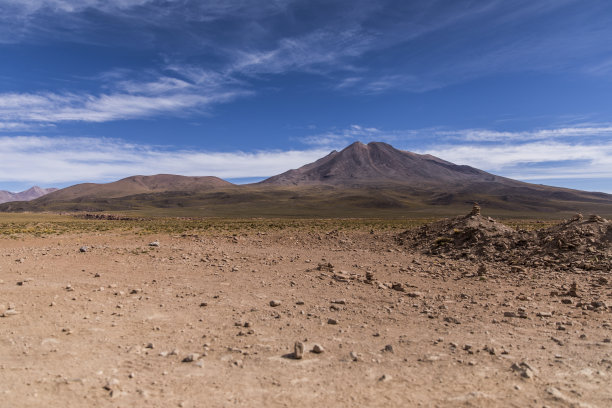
(211, 320)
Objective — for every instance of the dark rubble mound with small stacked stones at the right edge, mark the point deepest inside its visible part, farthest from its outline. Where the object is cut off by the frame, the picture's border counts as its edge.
(577, 243)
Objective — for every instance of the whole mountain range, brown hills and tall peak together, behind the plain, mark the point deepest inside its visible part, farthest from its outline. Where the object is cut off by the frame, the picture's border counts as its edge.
(360, 181)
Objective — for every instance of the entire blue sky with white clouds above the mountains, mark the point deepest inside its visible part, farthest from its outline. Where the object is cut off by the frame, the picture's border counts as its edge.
(98, 90)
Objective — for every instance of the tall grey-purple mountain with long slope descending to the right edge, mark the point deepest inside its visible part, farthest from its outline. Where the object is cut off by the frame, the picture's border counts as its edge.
(380, 166)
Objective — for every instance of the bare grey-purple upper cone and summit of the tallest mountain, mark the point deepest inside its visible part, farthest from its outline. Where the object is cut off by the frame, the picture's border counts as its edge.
(360, 164)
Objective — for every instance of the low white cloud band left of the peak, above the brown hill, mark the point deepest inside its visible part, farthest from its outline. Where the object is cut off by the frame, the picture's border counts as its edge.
(48, 161)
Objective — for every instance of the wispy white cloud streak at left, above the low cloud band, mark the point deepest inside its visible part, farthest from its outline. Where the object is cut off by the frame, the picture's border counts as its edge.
(126, 99)
